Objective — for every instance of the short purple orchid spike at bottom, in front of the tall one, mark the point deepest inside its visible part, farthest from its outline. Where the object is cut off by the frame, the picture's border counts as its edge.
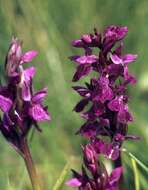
(99, 179)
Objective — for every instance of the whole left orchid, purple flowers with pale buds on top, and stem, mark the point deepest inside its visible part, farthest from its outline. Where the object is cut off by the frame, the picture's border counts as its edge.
(21, 107)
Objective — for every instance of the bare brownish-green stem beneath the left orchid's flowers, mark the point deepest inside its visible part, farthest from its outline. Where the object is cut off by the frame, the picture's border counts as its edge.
(30, 165)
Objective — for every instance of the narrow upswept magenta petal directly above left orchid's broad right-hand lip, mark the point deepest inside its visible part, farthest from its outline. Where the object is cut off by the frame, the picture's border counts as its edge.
(39, 96)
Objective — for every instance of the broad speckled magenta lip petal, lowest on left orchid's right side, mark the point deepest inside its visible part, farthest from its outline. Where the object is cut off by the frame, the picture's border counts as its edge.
(38, 113)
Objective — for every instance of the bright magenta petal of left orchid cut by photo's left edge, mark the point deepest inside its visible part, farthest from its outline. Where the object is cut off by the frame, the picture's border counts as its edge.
(5, 103)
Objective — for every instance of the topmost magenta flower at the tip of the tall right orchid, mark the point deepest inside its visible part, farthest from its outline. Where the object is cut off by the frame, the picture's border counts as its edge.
(116, 32)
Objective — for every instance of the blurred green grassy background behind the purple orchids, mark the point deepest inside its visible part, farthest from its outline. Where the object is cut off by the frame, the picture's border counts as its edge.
(49, 26)
